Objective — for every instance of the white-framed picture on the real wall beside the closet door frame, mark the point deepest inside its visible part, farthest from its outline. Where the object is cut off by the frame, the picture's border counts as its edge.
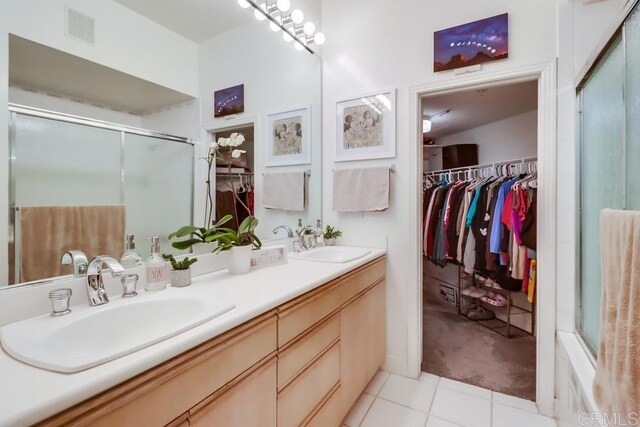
(366, 127)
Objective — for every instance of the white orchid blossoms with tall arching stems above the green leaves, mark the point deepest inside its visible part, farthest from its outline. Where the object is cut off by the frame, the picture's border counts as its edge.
(224, 149)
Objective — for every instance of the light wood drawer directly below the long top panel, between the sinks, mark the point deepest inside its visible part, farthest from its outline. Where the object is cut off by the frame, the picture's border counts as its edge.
(300, 353)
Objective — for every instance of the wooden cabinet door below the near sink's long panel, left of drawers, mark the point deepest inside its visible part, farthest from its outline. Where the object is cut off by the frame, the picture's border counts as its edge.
(250, 401)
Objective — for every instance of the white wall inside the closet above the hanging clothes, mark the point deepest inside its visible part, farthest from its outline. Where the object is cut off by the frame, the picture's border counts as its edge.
(511, 138)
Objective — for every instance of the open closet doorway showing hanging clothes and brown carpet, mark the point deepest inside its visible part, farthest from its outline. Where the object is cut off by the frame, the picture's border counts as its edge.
(479, 231)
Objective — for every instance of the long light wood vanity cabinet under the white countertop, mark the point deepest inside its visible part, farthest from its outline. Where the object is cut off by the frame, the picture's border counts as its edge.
(303, 363)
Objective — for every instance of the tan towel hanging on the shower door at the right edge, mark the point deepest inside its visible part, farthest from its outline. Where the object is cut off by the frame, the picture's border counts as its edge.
(616, 384)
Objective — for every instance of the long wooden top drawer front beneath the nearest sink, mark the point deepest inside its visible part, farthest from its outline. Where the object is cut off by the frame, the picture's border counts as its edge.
(159, 395)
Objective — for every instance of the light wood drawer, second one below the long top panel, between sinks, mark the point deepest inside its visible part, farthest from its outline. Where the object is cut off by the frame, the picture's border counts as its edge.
(299, 399)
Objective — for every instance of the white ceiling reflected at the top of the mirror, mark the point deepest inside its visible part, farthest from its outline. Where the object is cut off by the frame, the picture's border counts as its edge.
(197, 20)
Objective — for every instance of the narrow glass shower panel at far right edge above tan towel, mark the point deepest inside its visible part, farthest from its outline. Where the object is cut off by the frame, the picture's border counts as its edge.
(632, 97)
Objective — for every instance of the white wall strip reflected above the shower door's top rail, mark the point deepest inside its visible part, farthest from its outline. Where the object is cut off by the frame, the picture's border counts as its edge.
(67, 106)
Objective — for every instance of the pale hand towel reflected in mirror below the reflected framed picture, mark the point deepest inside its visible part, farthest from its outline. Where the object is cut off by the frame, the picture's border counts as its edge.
(285, 191)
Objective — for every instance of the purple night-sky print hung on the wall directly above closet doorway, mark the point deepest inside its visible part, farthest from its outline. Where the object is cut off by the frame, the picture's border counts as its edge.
(471, 44)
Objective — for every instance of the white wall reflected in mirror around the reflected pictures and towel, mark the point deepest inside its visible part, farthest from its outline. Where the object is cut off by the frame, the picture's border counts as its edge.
(276, 78)
